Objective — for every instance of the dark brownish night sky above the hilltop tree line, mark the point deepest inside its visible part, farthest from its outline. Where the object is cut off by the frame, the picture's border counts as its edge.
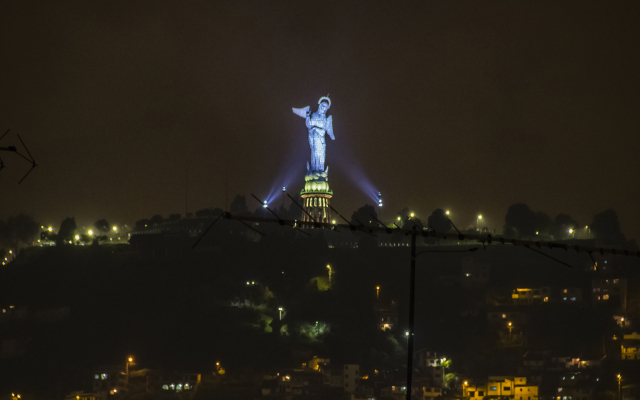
(468, 106)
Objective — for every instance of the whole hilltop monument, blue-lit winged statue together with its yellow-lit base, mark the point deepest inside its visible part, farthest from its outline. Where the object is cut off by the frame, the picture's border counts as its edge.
(316, 194)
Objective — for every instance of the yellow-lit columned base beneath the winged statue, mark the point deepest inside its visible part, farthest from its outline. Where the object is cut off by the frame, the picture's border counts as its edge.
(316, 197)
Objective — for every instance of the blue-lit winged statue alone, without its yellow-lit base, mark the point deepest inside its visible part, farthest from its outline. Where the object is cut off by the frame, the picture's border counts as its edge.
(318, 124)
